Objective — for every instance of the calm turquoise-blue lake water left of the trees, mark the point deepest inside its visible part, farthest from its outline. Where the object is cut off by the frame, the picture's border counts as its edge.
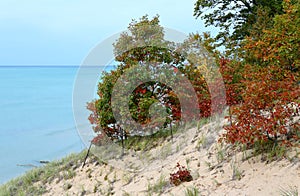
(36, 117)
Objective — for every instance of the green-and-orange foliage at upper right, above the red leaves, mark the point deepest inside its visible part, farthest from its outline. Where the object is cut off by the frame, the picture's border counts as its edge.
(280, 44)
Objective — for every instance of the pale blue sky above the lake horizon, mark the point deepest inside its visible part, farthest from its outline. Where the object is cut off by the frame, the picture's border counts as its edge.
(55, 32)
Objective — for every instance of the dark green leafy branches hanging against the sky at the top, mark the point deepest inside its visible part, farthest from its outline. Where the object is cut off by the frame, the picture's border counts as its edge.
(238, 16)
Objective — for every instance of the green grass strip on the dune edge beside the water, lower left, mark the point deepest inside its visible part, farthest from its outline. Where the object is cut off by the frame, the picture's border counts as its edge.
(26, 184)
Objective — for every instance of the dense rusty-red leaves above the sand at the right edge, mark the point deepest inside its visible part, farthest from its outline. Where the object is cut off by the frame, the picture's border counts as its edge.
(266, 110)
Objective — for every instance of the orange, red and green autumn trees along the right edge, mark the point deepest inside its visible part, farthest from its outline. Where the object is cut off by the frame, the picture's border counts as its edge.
(269, 110)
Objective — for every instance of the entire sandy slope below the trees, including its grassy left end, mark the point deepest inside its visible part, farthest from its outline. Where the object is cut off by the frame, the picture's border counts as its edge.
(215, 170)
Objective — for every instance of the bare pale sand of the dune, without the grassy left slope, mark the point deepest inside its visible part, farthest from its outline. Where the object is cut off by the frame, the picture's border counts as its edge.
(216, 170)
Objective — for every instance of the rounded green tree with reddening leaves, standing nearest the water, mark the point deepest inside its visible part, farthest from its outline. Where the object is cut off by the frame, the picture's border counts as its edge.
(144, 48)
